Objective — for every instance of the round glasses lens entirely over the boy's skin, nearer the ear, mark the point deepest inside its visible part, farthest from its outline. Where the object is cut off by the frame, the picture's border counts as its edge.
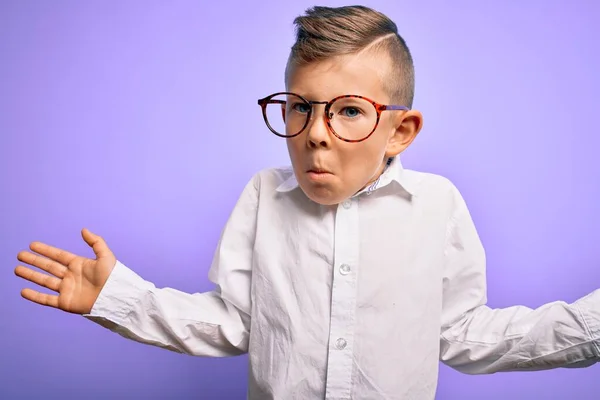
(353, 118)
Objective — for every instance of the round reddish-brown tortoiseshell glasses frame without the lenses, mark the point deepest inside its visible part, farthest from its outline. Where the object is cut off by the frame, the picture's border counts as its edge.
(379, 108)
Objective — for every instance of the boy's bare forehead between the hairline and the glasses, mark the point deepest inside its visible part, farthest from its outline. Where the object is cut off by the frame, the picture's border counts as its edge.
(361, 74)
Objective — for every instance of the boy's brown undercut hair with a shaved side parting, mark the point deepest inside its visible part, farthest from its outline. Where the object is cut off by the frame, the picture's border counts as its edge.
(327, 32)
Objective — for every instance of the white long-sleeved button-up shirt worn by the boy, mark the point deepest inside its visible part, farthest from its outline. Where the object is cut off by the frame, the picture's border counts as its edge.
(355, 301)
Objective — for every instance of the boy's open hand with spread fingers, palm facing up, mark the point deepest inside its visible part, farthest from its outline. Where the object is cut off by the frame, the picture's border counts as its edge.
(77, 280)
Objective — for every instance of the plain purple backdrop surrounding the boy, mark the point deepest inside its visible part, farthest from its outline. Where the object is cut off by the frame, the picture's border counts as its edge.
(139, 121)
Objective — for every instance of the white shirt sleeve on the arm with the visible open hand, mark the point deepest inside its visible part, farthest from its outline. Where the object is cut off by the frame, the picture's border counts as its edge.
(211, 324)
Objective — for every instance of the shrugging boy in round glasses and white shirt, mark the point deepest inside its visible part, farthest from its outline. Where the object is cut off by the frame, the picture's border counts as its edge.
(346, 275)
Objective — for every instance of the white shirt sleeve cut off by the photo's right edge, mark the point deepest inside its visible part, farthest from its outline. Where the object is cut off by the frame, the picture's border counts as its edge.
(477, 339)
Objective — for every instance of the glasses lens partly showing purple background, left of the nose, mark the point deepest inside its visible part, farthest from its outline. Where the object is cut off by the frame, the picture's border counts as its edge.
(287, 114)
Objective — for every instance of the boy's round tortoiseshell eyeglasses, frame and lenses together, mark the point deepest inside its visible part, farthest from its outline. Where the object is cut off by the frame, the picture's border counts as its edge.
(350, 118)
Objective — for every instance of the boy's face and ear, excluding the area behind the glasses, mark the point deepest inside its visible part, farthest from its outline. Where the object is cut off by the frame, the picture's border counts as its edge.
(349, 166)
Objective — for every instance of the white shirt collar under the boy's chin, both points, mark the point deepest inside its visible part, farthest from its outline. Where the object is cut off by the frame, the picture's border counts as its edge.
(393, 174)
